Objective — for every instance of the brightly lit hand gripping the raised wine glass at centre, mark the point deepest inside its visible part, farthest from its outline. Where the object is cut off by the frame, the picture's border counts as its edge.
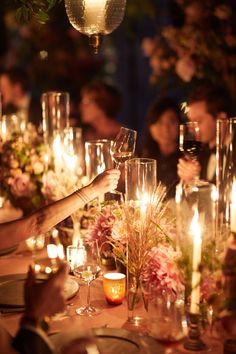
(104, 182)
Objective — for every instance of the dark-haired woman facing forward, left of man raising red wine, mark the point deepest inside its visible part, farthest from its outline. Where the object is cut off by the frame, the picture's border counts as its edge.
(161, 141)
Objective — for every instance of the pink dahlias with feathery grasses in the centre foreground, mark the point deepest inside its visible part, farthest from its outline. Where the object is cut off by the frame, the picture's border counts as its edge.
(144, 244)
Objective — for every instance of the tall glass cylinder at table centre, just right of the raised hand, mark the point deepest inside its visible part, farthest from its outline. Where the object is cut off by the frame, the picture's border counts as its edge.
(140, 183)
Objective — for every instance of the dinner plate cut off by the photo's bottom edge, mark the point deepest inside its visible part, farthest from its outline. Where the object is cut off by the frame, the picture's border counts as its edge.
(111, 340)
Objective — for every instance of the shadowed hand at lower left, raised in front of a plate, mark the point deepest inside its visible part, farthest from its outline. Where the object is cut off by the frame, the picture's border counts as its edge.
(46, 298)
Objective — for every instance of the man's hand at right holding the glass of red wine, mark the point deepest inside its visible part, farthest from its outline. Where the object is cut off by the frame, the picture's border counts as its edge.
(188, 169)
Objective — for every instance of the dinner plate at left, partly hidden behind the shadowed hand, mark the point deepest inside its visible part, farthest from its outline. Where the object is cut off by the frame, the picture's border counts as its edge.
(12, 289)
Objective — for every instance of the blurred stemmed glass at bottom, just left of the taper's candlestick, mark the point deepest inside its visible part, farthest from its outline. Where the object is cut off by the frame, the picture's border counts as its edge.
(167, 322)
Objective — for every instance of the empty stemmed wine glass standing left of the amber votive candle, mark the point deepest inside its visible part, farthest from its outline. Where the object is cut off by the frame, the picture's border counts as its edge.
(88, 270)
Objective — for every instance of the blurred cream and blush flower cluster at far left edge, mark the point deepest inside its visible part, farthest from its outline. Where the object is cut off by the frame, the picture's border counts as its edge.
(22, 160)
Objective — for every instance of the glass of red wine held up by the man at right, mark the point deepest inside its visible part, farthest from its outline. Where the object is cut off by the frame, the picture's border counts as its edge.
(190, 140)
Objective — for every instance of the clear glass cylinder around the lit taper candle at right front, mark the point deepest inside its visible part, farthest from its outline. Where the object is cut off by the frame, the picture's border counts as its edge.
(195, 207)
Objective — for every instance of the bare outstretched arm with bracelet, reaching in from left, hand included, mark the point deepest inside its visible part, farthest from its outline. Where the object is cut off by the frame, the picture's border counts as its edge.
(42, 220)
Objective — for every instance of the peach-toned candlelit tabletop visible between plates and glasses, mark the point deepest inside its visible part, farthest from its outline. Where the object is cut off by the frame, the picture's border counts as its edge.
(111, 317)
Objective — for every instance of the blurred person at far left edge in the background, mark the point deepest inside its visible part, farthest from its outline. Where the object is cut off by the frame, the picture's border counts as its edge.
(16, 97)
